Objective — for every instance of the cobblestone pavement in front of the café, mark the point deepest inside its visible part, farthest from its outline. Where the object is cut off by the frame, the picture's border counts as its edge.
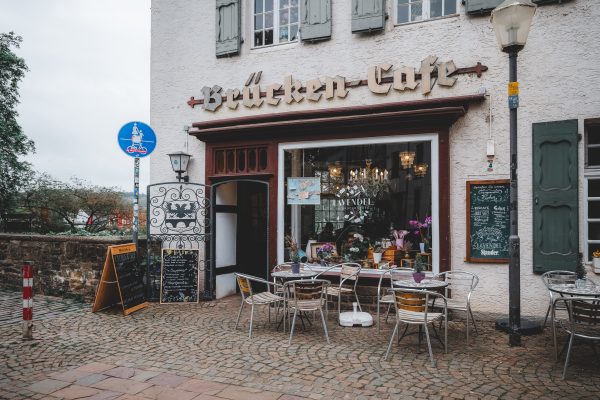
(192, 351)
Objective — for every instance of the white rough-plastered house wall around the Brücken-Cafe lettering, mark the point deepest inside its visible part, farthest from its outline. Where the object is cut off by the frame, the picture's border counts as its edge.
(559, 77)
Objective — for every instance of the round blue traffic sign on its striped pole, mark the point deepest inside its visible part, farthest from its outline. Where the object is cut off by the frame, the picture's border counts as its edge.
(137, 140)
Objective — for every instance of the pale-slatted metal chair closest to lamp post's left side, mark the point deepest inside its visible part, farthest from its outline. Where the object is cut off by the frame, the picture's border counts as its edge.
(461, 284)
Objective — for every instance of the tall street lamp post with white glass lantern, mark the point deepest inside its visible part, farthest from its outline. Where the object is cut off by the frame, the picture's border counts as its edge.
(511, 21)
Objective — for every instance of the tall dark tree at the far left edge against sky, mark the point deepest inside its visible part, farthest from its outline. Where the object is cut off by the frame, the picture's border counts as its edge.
(13, 142)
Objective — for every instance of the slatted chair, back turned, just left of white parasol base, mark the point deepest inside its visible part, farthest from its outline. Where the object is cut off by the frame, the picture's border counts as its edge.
(304, 296)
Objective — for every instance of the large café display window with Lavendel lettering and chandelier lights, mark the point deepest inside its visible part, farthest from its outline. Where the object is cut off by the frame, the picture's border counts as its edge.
(363, 197)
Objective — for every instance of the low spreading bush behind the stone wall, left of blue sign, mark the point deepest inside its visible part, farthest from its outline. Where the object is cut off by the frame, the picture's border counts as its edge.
(57, 203)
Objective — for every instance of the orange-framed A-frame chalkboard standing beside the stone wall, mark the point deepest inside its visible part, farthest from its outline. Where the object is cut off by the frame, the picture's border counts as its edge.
(121, 282)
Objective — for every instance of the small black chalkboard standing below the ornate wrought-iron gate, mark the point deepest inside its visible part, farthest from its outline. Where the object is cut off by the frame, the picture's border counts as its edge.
(179, 276)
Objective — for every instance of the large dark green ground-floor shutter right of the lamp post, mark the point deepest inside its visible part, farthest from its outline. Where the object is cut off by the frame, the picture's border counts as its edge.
(555, 196)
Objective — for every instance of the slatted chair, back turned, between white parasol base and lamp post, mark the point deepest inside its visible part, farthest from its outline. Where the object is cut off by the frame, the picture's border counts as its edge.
(412, 308)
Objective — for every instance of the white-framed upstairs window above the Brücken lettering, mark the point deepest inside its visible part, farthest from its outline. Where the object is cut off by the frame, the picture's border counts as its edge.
(275, 21)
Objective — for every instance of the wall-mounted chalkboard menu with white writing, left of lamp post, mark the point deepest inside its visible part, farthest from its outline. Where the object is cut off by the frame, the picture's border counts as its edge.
(488, 217)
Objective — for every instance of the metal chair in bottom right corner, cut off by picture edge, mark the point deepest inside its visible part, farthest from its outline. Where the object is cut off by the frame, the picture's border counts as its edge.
(583, 323)
